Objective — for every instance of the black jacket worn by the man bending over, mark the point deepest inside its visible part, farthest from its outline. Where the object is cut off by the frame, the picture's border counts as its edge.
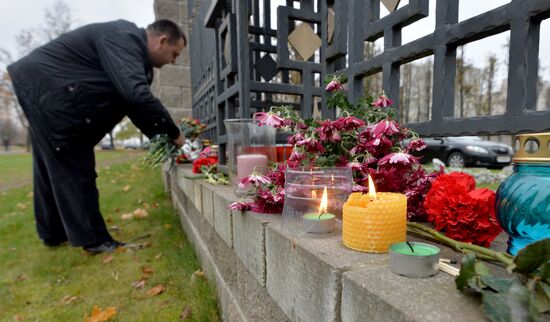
(83, 83)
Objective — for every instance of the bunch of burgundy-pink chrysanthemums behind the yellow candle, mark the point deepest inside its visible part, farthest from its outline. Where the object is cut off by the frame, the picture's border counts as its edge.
(365, 137)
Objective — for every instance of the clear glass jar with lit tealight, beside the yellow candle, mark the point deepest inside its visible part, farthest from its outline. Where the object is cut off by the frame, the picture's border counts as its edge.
(304, 190)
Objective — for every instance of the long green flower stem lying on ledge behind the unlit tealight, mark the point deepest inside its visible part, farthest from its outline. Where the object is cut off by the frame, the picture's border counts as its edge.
(480, 252)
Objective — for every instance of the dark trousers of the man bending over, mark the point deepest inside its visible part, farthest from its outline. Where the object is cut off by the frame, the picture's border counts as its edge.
(66, 200)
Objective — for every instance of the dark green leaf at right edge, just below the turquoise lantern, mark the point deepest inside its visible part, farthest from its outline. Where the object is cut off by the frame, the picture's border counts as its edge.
(531, 257)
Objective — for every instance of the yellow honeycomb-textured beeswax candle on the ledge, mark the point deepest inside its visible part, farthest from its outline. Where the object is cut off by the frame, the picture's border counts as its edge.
(374, 225)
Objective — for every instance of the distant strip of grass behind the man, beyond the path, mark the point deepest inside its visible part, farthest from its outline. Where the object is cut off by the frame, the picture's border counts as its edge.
(17, 167)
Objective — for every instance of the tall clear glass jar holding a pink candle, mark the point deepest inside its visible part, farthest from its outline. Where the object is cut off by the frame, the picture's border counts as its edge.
(249, 146)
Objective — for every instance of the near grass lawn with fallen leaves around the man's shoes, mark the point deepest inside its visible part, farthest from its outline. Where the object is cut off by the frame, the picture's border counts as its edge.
(64, 283)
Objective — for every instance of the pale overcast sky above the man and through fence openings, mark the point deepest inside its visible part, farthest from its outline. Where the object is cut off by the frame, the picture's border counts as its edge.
(20, 14)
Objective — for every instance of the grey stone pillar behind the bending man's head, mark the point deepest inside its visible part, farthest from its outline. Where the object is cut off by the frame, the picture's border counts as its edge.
(172, 83)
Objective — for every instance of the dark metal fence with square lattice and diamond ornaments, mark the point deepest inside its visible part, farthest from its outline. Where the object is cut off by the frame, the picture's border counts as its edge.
(243, 61)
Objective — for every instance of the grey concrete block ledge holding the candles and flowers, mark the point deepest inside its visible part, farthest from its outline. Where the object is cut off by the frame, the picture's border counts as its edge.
(263, 273)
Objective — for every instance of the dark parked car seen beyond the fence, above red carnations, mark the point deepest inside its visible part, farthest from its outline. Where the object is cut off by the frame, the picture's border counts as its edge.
(466, 151)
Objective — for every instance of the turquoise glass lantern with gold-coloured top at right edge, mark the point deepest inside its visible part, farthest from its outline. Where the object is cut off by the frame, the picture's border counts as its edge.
(523, 199)
